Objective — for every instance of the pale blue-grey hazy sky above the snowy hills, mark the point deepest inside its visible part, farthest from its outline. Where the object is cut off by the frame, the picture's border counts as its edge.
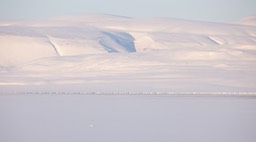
(208, 10)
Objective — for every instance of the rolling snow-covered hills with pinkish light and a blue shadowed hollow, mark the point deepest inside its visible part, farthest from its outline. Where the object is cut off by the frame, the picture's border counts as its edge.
(106, 53)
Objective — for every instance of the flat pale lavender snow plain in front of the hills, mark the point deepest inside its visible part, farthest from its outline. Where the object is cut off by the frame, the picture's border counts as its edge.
(126, 118)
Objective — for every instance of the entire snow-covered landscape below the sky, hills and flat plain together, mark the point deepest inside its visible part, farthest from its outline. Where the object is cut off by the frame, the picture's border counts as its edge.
(106, 53)
